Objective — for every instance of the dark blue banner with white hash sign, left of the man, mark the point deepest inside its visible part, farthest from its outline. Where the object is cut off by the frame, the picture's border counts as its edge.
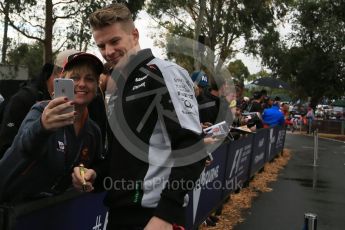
(84, 212)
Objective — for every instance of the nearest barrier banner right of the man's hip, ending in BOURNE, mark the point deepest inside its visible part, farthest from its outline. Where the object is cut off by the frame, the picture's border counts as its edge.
(208, 193)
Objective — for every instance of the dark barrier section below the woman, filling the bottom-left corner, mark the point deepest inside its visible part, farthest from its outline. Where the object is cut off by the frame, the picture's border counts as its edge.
(72, 210)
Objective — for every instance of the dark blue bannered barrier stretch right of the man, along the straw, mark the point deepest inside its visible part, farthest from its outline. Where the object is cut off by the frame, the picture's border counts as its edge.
(236, 162)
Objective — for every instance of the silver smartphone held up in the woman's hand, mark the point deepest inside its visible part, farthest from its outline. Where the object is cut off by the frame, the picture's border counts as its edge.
(64, 88)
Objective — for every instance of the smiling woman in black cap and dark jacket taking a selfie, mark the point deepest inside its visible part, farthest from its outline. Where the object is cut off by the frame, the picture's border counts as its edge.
(51, 140)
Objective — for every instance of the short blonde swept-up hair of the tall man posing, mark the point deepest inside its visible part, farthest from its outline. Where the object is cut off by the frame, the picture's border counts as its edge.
(114, 13)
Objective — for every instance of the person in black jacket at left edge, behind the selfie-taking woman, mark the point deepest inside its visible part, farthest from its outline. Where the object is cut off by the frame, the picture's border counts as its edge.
(20, 103)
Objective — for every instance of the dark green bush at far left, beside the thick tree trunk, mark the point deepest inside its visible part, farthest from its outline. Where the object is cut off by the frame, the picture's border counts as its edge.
(30, 56)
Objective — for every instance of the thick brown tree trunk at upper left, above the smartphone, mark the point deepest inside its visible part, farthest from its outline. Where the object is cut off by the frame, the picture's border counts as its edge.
(48, 50)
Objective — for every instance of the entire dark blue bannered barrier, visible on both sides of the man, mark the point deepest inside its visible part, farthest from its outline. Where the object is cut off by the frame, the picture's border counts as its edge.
(234, 164)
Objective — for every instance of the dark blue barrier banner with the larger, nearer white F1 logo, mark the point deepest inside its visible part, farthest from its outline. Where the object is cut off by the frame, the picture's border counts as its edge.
(238, 164)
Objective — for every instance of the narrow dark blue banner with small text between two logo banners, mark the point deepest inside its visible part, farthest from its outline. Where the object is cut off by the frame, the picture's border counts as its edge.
(259, 151)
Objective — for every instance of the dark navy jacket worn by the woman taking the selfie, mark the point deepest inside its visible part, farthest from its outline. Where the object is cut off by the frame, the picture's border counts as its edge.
(42, 161)
